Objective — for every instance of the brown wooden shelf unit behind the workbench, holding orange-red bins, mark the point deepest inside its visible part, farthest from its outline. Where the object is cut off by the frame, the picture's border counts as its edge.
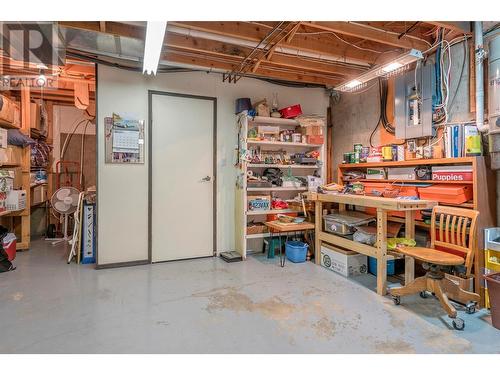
(484, 196)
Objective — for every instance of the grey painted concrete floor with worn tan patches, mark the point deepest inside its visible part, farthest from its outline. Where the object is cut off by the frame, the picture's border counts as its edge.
(209, 306)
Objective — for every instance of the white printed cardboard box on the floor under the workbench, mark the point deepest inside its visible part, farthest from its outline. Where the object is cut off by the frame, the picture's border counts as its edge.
(344, 262)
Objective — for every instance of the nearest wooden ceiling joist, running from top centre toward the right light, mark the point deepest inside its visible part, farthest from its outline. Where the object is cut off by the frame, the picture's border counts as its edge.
(369, 33)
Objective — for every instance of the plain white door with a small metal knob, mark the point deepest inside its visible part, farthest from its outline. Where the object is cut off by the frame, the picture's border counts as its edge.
(182, 177)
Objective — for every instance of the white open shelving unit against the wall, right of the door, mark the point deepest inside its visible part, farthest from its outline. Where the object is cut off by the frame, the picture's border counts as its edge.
(243, 216)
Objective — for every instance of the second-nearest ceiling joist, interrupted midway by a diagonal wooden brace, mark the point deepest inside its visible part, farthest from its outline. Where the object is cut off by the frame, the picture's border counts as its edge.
(311, 43)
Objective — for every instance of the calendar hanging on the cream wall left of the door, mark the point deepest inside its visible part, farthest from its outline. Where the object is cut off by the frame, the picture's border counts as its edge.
(124, 140)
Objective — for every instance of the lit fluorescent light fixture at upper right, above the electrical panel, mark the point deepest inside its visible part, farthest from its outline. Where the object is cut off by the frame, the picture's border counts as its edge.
(385, 70)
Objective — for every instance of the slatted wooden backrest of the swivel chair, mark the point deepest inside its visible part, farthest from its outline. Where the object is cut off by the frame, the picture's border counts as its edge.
(457, 231)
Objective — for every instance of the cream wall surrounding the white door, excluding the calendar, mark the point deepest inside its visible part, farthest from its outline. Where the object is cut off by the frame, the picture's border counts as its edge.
(123, 189)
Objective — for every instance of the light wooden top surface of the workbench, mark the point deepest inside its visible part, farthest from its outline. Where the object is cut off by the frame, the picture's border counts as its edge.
(370, 201)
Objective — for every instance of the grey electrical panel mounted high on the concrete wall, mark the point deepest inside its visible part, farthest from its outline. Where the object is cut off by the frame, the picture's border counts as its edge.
(413, 103)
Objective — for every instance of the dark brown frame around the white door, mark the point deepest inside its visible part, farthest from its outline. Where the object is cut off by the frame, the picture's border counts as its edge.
(150, 164)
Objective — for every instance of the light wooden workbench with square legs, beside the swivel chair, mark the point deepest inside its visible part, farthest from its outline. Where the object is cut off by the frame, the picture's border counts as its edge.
(382, 205)
